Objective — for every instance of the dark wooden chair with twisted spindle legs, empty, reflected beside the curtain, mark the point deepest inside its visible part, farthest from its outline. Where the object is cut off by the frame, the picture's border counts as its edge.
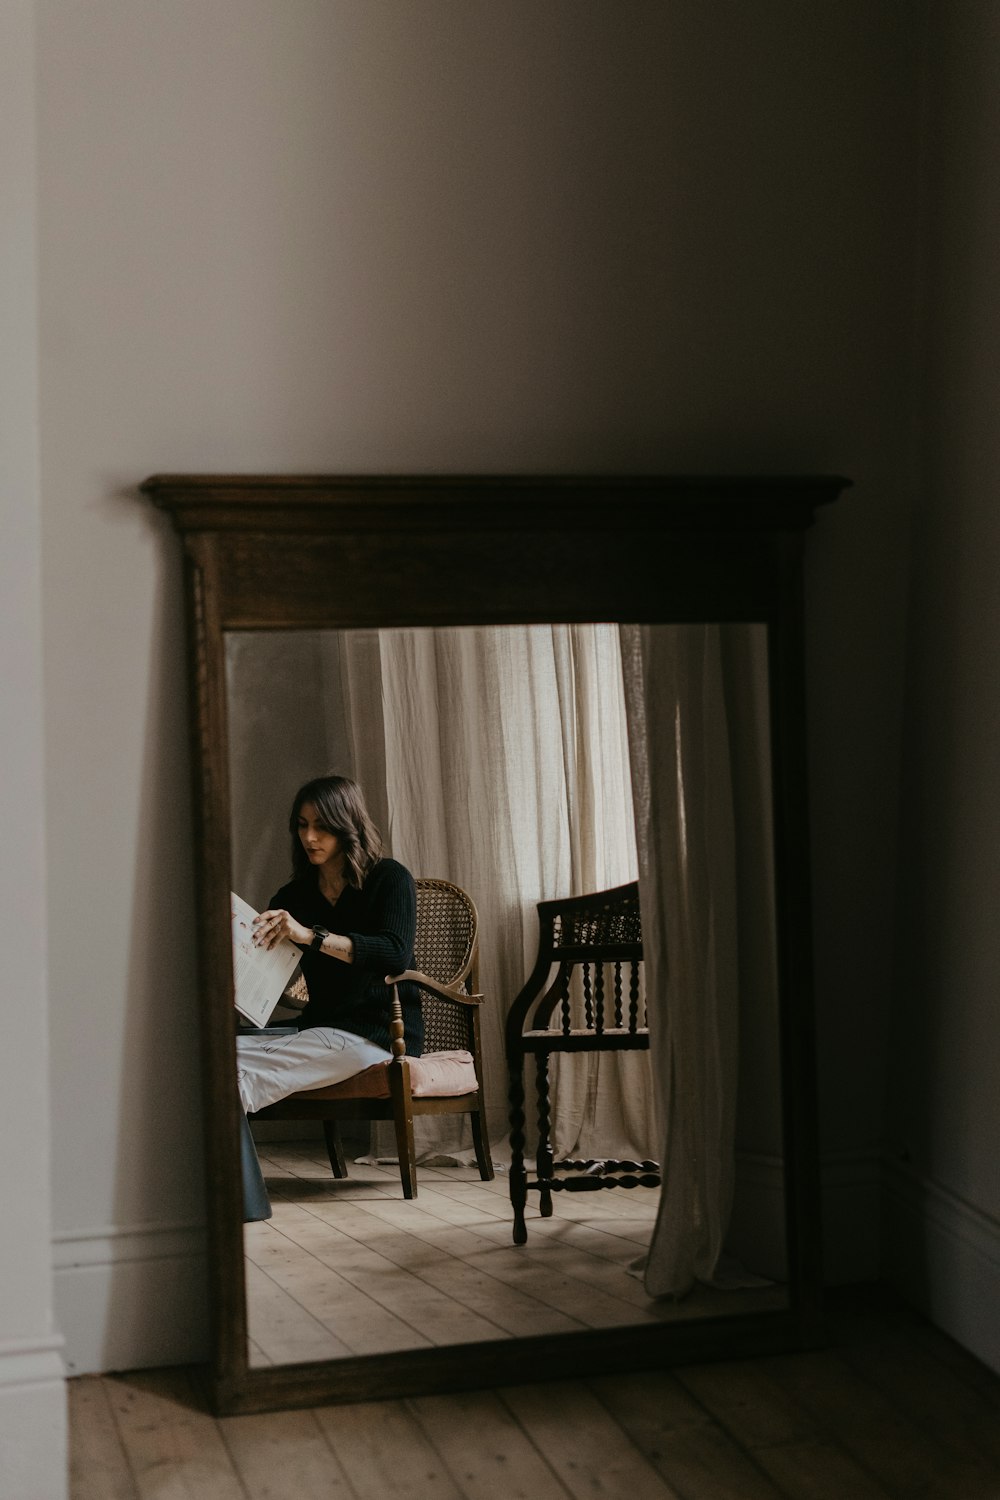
(591, 1003)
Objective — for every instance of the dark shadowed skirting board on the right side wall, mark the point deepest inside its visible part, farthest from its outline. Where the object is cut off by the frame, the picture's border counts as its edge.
(944, 1255)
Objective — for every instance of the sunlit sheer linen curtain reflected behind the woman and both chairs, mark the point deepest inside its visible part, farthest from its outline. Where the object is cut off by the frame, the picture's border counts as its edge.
(500, 758)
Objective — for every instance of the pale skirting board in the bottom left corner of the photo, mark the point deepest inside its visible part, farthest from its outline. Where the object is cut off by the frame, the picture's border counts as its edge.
(34, 1439)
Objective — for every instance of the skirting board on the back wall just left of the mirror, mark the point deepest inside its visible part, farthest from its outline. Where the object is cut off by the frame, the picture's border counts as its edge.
(131, 1297)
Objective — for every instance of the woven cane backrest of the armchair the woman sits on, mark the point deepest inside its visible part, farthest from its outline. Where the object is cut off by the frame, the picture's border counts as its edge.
(448, 950)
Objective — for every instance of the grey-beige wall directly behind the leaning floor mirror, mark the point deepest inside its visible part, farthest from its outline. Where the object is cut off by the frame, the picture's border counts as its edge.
(319, 235)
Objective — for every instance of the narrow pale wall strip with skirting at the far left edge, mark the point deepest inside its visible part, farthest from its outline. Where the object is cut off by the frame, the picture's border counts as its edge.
(32, 1390)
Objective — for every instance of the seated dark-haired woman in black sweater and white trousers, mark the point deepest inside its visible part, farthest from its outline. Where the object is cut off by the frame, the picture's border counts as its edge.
(355, 916)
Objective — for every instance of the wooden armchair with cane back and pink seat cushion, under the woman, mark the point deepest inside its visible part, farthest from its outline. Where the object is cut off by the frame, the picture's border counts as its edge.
(449, 1078)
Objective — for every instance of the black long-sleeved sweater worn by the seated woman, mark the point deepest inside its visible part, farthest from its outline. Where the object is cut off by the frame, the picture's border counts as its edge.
(382, 923)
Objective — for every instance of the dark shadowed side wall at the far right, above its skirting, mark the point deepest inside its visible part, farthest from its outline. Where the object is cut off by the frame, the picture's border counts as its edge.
(944, 1123)
